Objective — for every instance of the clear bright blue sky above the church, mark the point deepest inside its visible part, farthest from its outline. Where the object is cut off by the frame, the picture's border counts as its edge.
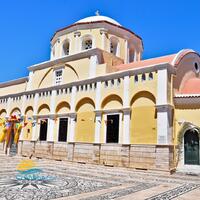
(28, 25)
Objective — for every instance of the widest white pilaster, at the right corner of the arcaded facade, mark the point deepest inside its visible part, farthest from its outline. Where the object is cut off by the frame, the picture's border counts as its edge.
(163, 109)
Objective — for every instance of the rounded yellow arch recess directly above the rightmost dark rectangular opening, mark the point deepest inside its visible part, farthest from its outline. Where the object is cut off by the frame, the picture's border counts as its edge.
(112, 101)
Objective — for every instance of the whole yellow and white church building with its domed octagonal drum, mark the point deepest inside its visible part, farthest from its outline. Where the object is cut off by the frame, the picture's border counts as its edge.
(96, 101)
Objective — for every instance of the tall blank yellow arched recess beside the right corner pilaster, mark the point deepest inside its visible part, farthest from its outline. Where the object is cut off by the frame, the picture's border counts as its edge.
(143, 118)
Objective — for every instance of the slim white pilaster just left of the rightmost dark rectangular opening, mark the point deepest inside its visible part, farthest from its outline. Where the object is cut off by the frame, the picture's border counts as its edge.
(98, 114)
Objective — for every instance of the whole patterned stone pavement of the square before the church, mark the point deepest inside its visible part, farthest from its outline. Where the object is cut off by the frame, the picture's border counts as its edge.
(64, 180)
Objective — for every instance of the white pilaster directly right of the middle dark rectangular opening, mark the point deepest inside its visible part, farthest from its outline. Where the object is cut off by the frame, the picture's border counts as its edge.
(73, 115)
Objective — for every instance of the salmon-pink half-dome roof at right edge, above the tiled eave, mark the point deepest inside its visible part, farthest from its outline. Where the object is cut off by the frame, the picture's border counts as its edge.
(192, 86)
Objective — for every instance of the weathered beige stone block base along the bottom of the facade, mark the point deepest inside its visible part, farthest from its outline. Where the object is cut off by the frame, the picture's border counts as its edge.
(155, 157)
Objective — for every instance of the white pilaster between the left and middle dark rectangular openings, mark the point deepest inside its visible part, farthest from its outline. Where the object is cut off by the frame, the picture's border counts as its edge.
(51, 124)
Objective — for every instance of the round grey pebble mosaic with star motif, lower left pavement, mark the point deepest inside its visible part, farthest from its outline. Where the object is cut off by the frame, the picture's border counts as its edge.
(48, 187)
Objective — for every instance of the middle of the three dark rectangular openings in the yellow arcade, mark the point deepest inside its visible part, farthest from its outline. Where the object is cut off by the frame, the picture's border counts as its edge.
(63, 125)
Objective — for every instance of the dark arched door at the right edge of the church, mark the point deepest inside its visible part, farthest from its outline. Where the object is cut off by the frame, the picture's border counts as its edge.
(191, 147)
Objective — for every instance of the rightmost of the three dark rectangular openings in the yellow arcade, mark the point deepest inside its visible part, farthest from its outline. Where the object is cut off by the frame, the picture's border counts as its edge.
(112, 131)
